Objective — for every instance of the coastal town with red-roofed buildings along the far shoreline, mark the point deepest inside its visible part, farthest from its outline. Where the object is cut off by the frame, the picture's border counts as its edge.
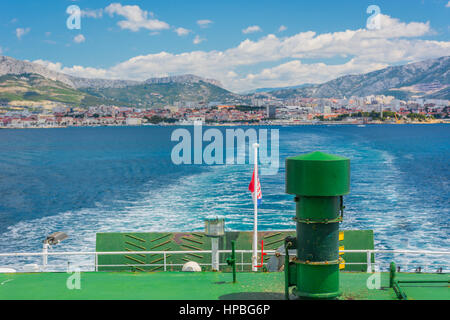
(300, 111)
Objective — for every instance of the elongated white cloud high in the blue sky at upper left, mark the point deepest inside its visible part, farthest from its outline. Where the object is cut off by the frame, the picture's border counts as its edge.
(135, 18)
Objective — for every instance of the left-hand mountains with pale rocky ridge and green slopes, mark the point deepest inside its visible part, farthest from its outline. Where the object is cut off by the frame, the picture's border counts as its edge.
(27, 83)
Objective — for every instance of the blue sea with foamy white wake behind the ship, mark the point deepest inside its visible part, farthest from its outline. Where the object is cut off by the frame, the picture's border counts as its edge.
(122, 179)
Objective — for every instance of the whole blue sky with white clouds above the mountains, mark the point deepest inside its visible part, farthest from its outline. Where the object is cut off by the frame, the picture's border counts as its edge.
(246, 44)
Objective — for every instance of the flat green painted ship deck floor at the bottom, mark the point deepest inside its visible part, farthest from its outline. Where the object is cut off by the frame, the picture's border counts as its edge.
(200, 286)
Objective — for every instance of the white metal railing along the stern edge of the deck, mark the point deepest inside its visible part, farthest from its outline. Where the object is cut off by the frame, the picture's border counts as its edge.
(371, 266)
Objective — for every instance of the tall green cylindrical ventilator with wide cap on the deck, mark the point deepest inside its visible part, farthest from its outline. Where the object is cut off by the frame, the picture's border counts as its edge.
(319, 181)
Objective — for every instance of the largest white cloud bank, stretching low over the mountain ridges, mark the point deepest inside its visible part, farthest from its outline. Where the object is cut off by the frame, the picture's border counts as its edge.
(363, 50)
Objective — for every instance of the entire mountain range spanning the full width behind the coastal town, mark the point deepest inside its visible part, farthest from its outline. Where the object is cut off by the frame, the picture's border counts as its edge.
(27, 83)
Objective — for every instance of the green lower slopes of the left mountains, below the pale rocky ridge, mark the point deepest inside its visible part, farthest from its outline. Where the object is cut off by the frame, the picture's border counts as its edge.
(33, 87)
